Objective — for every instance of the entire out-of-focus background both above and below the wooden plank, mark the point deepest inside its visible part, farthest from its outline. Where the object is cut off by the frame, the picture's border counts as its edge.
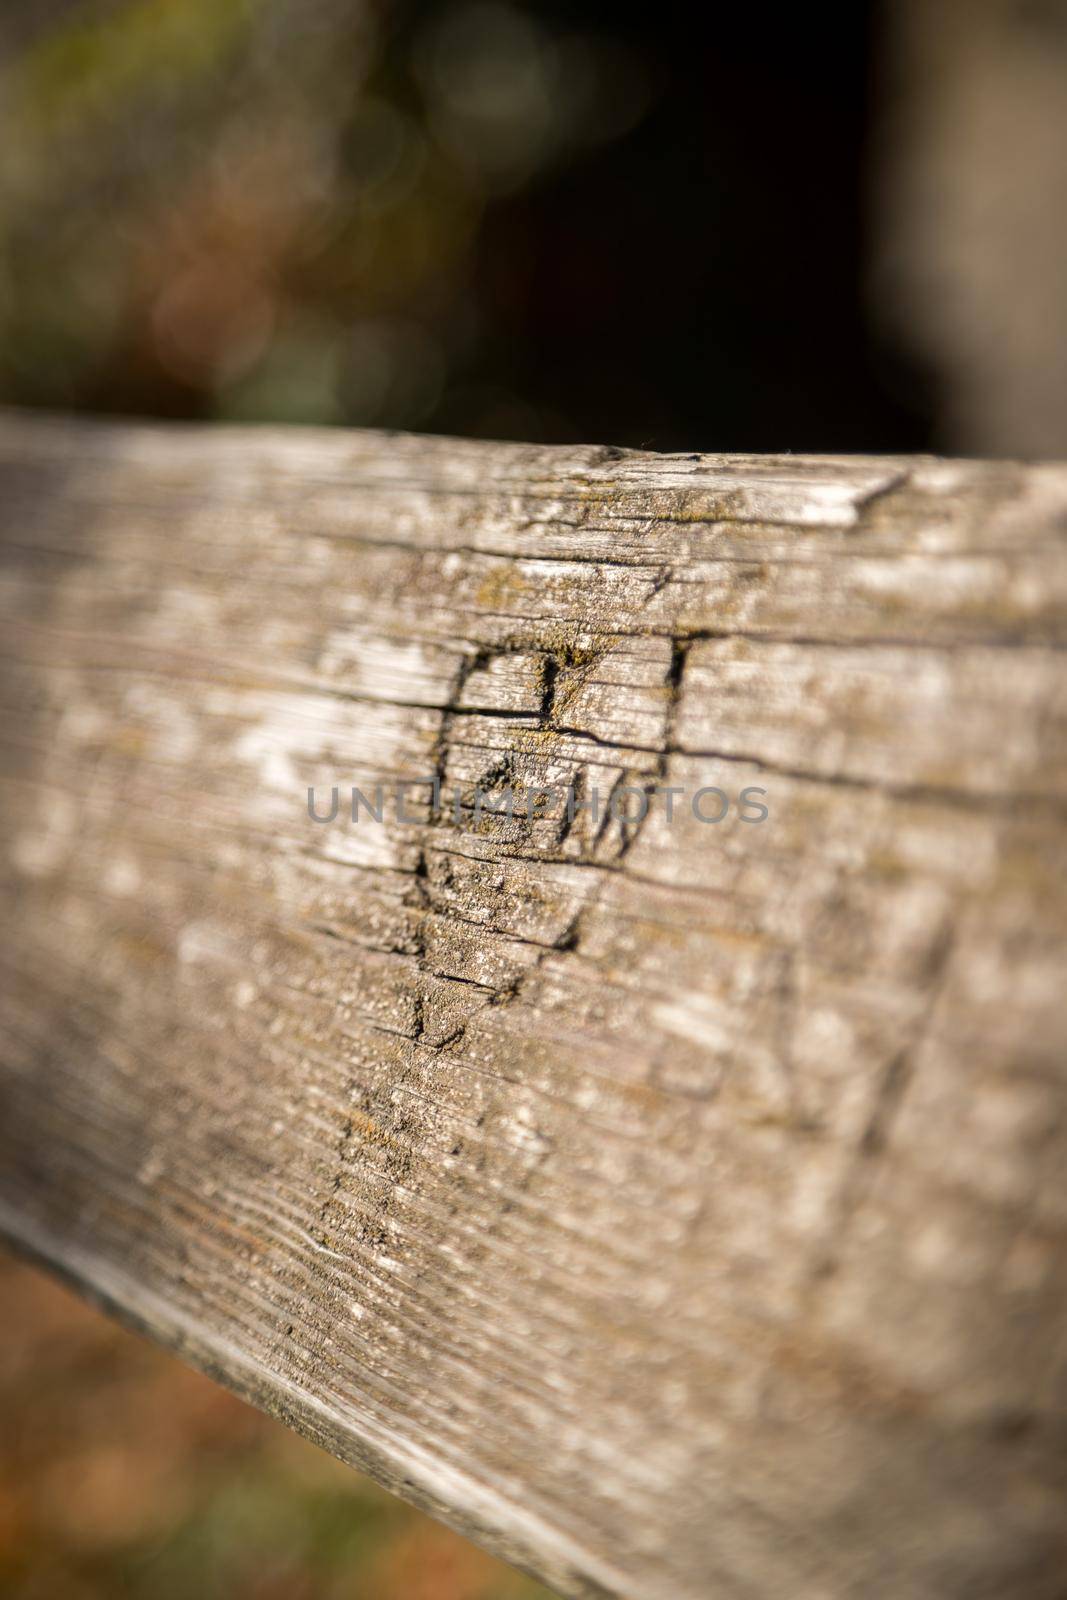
(722, 228)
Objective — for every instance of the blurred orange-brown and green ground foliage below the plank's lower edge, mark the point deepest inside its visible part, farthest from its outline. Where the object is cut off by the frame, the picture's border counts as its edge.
(126, 1476)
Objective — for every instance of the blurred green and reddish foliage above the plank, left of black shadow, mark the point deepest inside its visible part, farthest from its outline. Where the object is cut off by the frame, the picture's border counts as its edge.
(268, 209)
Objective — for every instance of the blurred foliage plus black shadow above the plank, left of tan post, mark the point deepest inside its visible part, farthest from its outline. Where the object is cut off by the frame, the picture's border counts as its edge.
(561, 222)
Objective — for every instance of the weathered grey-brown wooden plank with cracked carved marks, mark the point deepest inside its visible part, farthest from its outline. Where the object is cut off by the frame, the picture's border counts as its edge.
(677, 1209)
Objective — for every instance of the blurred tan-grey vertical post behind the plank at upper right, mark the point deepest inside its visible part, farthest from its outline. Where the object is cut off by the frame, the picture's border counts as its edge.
(970, 214)
